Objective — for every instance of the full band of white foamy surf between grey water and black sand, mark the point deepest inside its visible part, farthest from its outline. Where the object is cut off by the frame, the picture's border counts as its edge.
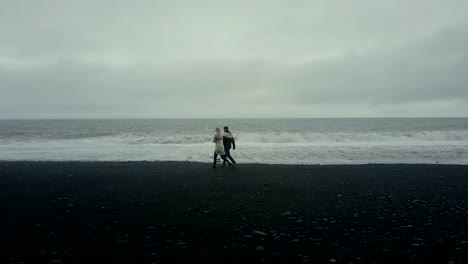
(288, 148)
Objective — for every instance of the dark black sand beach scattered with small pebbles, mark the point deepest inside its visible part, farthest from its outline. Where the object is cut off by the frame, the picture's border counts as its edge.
(180, 212)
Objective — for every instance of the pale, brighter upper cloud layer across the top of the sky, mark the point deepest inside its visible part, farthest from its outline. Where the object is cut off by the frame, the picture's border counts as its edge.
(168, 29)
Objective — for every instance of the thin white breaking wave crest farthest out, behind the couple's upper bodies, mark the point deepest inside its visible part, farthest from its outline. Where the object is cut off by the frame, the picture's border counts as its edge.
(428, 137)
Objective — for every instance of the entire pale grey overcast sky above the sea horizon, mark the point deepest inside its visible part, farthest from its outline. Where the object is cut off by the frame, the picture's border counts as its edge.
(165, 59)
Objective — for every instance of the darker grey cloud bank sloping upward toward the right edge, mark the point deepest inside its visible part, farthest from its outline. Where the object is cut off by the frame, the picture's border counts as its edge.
(431, 68)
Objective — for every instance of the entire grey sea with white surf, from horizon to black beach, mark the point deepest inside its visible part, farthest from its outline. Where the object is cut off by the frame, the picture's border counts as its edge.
(286, 141)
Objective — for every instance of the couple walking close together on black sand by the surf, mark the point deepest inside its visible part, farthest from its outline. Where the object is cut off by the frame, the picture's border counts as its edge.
(223, 143)
